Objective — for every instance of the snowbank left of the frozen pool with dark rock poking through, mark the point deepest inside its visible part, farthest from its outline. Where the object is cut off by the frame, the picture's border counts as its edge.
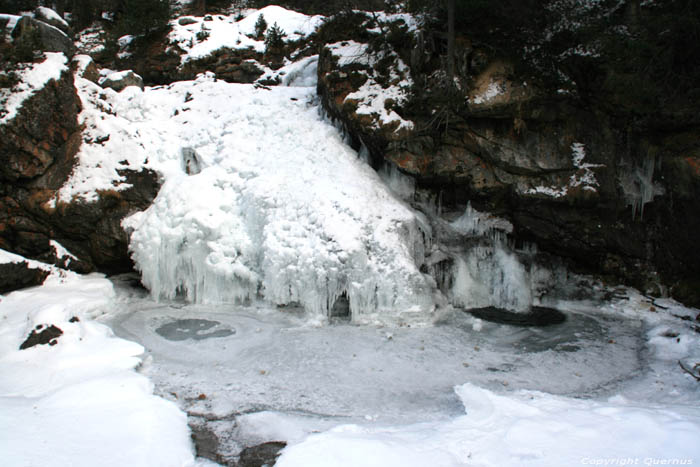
(78, 401)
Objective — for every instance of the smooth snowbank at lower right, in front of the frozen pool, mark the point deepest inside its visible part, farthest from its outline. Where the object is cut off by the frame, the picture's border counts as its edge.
(522, 428)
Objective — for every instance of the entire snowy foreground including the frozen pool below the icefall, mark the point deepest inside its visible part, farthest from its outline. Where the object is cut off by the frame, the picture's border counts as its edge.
(605, 384)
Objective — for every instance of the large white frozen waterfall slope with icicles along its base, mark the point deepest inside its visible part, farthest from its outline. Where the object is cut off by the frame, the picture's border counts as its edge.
(261, 198)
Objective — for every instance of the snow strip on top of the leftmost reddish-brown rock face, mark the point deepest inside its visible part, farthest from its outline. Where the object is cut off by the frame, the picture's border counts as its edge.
(32, 79)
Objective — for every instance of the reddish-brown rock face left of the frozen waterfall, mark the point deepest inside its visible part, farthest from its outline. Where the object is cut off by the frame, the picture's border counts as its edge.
(37, 149)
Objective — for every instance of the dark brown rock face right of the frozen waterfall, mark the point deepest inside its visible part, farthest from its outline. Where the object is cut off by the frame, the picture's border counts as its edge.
(570, 178)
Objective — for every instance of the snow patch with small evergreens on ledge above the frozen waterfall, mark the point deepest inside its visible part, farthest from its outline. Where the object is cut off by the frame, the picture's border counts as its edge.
(224, 31)
